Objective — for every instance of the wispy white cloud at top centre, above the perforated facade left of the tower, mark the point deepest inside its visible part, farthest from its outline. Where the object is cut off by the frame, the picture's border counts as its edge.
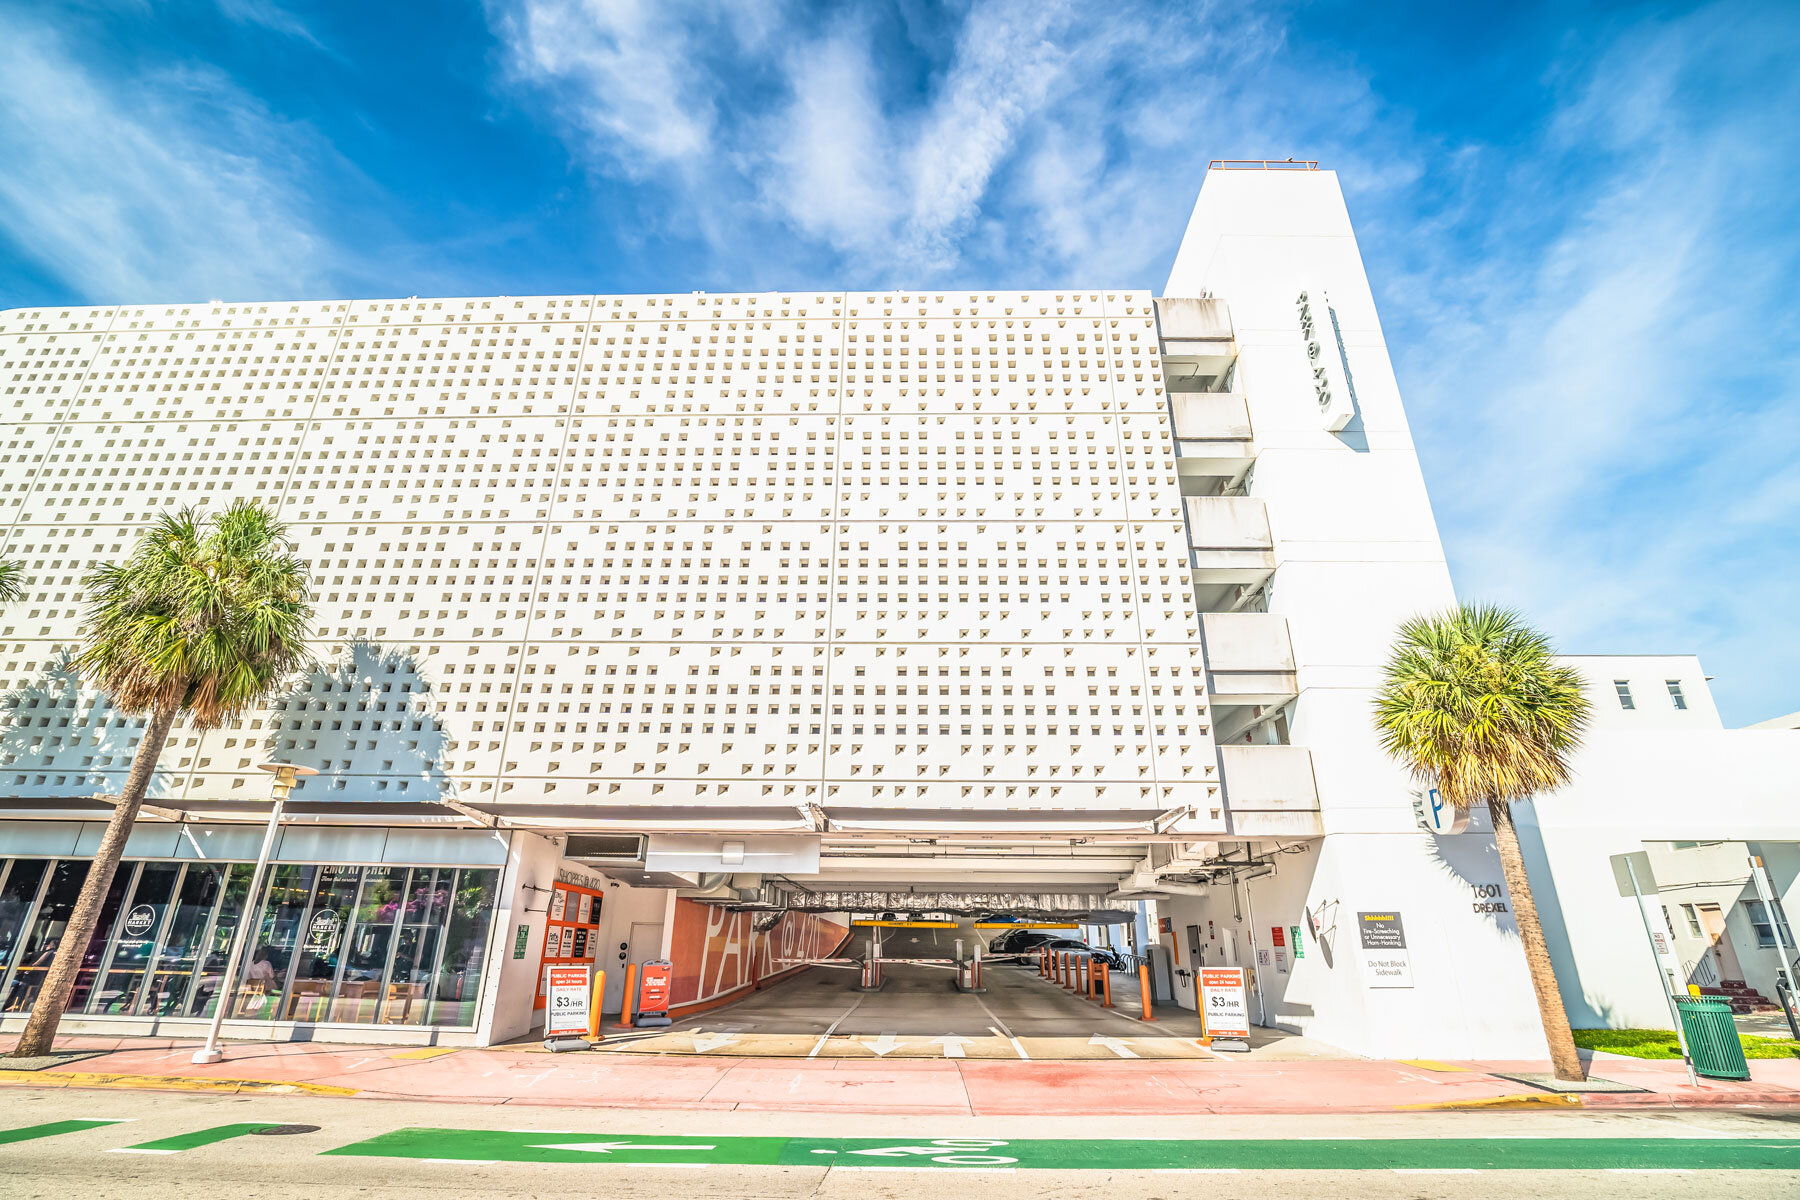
(915, 163)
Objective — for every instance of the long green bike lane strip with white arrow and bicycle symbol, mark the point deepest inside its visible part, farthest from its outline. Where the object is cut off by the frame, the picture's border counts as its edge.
(1333, 1154)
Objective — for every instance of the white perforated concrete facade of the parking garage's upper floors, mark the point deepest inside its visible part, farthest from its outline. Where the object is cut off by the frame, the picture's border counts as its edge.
(678, 562)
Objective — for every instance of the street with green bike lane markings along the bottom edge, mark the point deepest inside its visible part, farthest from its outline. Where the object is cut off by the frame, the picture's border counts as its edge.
(127, 1143)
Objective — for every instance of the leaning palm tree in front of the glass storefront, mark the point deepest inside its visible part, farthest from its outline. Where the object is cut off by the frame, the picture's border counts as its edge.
(204, 618)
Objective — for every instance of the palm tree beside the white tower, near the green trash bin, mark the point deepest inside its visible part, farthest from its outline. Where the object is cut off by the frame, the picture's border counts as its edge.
(1475, 704)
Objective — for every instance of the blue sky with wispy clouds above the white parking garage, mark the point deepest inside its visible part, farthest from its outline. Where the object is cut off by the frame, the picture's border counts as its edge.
(1579, 222)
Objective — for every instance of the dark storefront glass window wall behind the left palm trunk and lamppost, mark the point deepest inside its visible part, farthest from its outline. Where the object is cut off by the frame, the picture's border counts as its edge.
(334, 944)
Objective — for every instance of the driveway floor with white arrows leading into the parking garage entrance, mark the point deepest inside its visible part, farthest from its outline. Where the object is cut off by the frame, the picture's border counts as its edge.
(919, 1010)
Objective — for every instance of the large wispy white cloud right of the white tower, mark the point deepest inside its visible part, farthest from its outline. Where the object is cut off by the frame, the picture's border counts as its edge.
(1606, 400)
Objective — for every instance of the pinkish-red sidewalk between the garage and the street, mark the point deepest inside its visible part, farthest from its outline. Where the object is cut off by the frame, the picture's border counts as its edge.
(876, 1086)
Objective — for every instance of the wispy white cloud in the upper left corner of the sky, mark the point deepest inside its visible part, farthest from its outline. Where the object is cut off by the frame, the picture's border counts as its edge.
(170, 186)
